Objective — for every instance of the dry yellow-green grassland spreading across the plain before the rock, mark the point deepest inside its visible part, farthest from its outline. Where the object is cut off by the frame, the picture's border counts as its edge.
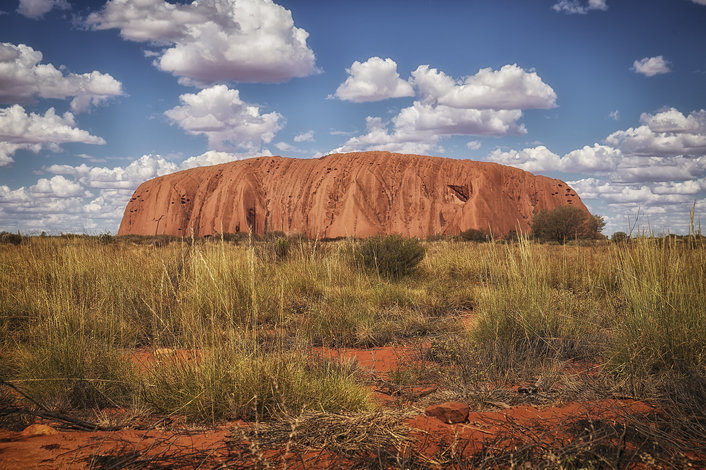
(213, 330)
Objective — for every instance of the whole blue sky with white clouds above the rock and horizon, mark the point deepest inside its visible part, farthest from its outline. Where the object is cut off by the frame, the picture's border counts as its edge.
(98, 96)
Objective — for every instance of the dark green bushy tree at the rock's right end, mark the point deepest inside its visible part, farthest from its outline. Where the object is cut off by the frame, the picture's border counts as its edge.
(565, 223)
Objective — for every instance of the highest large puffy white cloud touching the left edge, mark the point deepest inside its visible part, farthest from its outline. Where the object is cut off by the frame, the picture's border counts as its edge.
(23, 77)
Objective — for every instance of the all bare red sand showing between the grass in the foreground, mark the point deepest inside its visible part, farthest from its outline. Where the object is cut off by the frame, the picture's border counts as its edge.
(73, 449)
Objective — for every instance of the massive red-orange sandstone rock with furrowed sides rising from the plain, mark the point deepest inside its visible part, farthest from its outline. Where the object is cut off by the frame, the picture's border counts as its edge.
(342, 195)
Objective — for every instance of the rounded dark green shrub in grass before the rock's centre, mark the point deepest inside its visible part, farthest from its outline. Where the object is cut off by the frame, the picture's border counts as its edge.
(392, 256)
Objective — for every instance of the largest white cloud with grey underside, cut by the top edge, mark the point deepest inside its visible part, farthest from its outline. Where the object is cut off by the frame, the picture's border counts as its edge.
(209, 41)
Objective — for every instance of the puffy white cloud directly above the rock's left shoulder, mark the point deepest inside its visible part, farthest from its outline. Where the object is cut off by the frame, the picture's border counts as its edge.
(226, 120)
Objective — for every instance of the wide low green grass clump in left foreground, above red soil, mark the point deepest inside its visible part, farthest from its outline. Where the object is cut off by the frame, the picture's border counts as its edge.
(231, 384)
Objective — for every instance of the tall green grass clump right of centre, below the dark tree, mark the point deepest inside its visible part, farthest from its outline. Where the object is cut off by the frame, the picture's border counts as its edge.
(524, 315)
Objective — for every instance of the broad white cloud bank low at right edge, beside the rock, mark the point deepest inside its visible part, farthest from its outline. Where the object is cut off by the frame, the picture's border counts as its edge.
(657, 169)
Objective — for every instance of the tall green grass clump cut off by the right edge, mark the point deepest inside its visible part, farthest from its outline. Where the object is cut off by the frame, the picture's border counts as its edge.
(662, 309)
